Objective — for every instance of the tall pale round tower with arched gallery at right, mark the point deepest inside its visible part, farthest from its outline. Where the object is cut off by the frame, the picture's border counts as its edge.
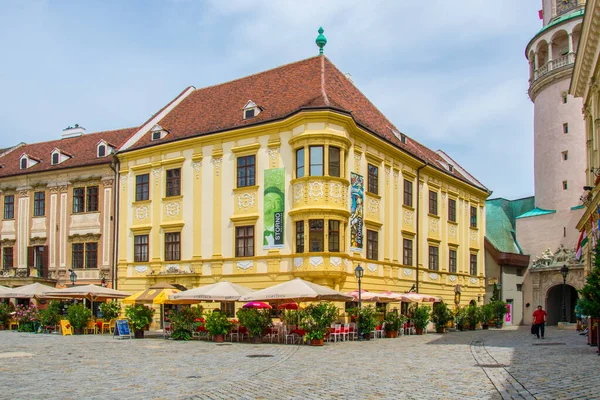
(559, 145)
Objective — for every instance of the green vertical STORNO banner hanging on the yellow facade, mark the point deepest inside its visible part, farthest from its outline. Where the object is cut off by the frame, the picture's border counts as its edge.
(274, 202)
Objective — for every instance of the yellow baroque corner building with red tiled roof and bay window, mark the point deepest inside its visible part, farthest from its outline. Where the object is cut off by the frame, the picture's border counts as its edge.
(288, 173)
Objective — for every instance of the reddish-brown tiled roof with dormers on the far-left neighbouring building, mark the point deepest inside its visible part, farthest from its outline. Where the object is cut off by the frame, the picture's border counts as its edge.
(81, 148)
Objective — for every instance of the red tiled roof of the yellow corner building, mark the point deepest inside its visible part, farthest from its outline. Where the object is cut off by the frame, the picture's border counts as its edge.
(281, 92)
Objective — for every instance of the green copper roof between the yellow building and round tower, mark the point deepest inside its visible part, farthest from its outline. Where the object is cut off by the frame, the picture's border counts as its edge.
(501, 221)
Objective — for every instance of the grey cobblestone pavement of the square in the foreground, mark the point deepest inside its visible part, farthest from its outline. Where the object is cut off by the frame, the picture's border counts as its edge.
(492, 364)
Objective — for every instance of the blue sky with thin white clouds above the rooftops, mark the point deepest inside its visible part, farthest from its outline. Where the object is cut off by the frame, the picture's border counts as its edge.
(450, 74)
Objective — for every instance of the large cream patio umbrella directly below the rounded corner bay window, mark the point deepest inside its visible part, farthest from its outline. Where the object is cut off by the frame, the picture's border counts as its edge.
(297, 290)
